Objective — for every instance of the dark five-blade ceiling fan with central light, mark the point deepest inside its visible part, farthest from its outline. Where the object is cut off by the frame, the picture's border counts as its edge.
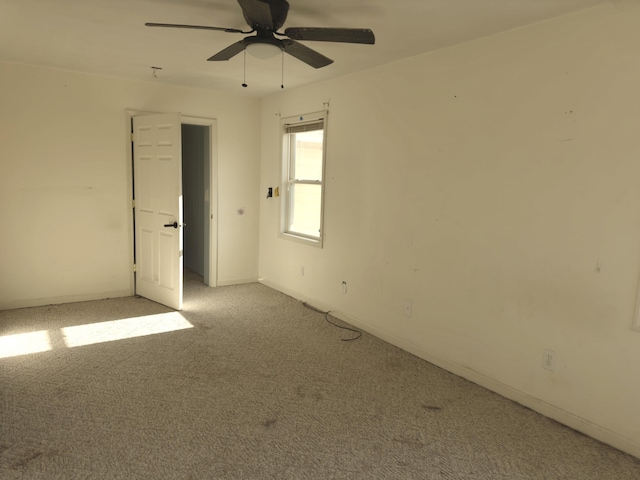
(265, 17)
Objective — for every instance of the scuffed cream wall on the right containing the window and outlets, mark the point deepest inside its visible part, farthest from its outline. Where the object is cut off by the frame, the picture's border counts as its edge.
(494, 184)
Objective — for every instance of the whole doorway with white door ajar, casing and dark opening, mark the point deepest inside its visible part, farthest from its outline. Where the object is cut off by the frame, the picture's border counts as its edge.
(152, 181)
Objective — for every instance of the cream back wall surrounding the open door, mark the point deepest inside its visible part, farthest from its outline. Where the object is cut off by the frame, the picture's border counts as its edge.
(65, 182)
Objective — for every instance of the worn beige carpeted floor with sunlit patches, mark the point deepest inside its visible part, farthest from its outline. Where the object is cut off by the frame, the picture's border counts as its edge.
(253, 385)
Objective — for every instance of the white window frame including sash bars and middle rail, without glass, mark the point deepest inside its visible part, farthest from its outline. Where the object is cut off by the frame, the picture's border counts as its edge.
(287, 178)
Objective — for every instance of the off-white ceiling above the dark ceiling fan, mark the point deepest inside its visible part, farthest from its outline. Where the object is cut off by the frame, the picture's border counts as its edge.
(108, 37)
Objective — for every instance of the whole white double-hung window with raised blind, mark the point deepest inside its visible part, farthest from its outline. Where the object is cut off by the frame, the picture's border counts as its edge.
(303, 160)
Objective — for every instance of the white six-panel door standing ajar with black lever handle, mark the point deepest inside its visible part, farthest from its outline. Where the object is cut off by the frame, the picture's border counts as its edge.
(157, 173)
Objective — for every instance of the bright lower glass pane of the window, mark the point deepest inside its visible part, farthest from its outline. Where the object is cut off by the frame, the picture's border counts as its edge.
(305, 209)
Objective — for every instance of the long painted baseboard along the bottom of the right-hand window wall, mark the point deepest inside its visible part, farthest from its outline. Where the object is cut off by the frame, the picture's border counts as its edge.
(564, 417)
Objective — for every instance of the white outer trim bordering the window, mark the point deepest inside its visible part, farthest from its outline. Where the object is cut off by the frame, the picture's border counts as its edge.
(284, 162)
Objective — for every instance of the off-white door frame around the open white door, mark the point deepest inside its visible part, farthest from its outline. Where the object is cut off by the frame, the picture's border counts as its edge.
(212, 251)
